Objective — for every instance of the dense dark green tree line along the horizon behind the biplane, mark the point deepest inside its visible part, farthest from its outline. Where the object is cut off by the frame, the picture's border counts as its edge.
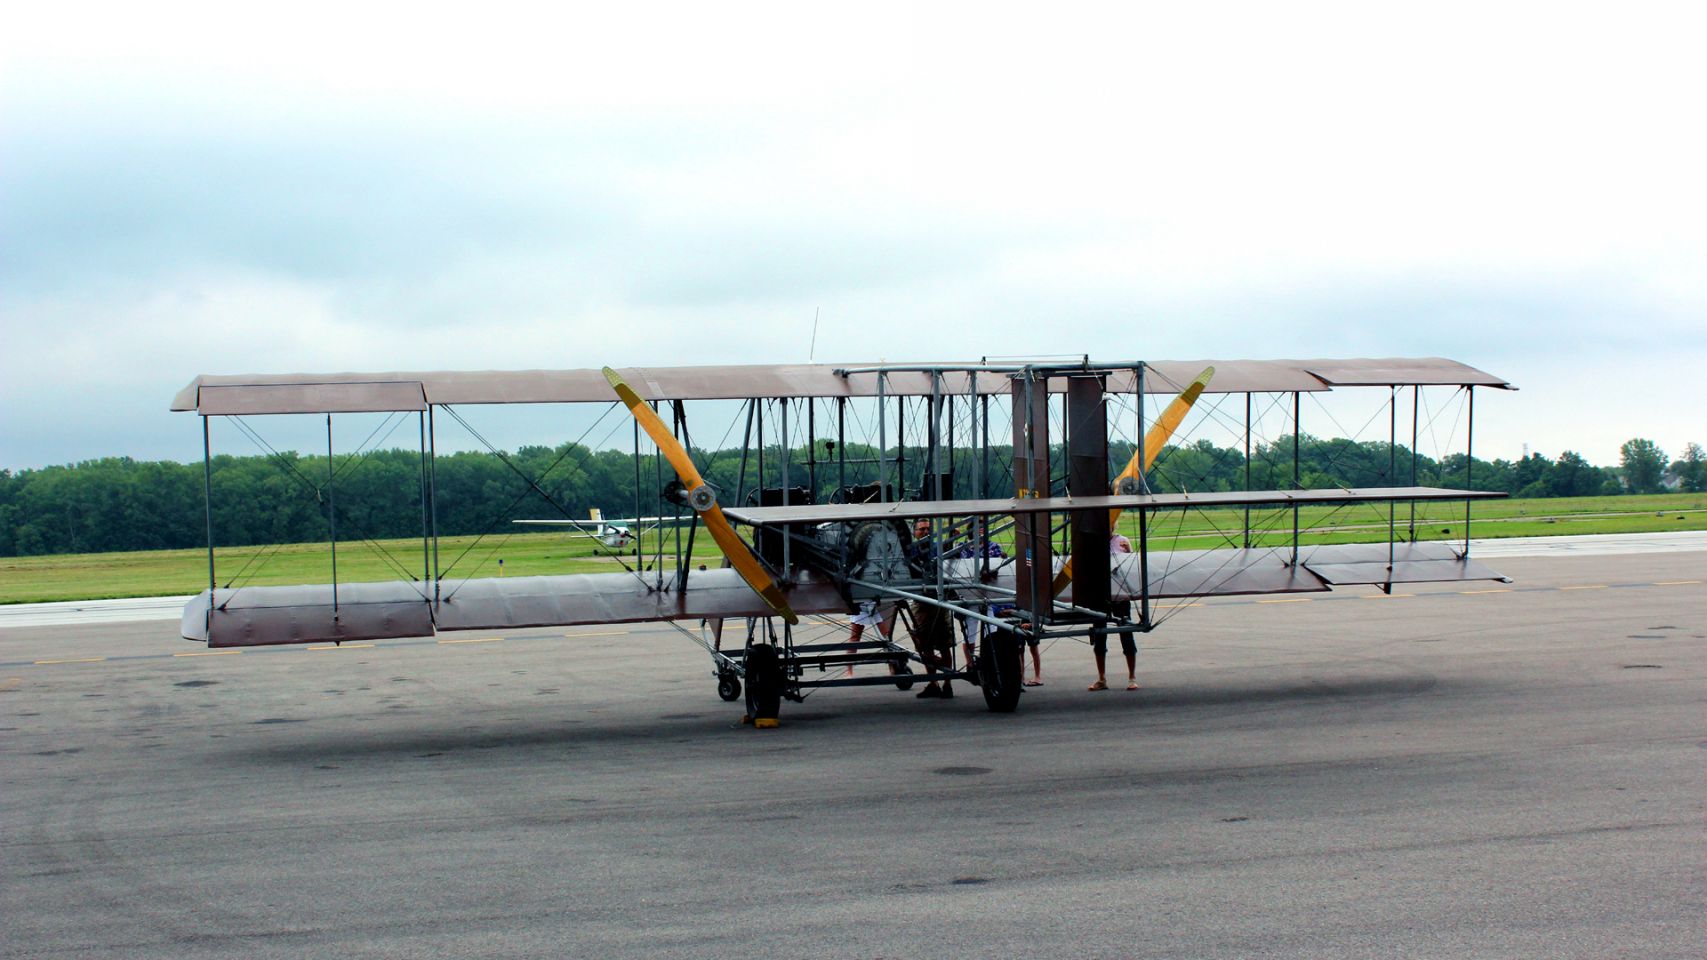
(127, 505)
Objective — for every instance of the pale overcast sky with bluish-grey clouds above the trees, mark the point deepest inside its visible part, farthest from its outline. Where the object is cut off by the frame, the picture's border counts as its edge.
(204, 189)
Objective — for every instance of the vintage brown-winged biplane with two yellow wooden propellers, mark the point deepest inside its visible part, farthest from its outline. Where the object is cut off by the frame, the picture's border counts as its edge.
(887, 491)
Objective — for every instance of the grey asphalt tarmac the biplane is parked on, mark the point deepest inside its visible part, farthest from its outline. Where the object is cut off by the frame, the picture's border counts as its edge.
(1455, 771)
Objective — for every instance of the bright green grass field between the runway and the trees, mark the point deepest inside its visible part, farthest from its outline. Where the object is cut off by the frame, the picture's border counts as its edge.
(166, 573)
